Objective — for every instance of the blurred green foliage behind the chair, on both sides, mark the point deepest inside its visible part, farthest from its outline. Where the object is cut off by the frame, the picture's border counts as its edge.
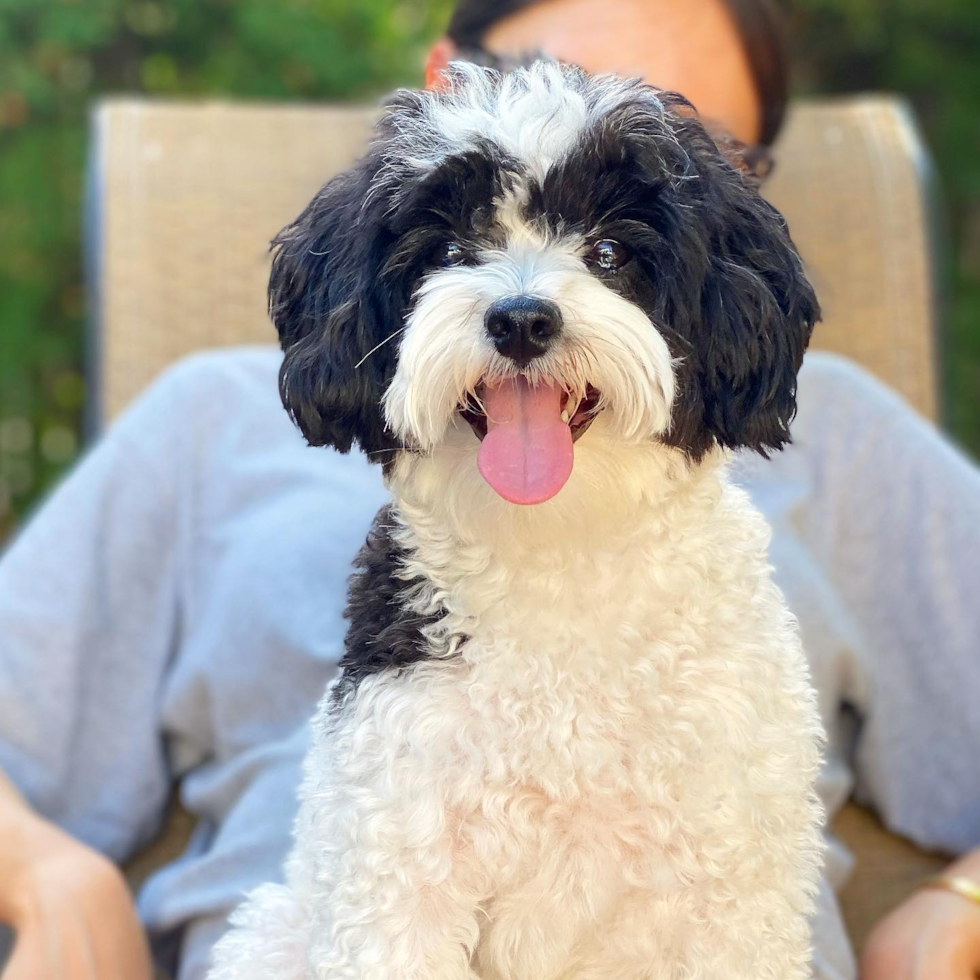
(57, 56)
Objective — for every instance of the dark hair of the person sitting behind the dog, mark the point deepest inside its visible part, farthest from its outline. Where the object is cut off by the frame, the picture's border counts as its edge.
(761, 24)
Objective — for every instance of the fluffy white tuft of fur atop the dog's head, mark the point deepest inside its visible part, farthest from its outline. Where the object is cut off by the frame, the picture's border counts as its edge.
(535, 115)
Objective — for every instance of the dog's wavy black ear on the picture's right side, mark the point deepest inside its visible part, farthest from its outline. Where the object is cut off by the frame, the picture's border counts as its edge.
(749, 309)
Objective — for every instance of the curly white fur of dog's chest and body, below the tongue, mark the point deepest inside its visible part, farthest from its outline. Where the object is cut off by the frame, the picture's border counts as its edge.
(603, 770)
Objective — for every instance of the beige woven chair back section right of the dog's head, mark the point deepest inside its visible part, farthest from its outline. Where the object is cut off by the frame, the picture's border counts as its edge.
(853, 180)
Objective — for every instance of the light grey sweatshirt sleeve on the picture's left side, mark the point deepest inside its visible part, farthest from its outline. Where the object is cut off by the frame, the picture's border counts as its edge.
(88, 621)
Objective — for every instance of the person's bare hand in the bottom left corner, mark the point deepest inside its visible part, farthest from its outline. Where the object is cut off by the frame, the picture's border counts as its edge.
(72, 913)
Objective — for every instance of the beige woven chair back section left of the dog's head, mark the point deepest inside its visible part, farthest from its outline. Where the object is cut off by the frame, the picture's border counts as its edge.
(187, 198)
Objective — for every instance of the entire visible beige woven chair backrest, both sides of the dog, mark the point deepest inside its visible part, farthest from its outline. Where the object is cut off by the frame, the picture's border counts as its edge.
(187, 197)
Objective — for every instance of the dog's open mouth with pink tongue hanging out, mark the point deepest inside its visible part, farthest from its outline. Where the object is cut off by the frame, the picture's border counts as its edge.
(527, 434)
